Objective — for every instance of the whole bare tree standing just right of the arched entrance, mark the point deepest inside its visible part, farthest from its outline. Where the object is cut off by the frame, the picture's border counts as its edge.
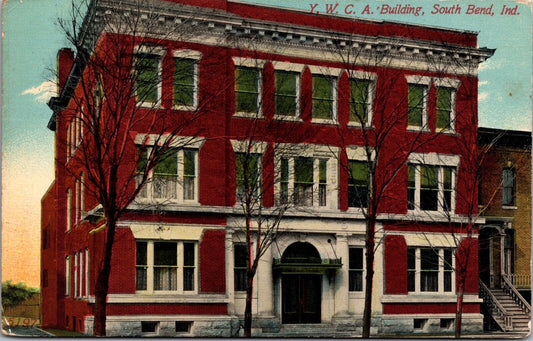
(378, 115)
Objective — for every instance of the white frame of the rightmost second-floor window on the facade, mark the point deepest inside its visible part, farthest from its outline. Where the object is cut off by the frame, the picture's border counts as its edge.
(440, 161)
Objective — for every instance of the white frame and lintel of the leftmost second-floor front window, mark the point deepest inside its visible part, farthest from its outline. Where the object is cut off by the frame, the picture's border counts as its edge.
(180, 143)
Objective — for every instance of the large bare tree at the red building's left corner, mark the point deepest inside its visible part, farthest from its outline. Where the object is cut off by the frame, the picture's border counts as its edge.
(118, 86)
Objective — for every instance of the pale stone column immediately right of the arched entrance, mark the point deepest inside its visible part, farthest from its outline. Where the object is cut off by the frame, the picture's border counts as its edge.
(341, 279)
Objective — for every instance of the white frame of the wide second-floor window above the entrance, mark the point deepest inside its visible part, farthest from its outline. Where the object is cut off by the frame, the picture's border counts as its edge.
(317, 153)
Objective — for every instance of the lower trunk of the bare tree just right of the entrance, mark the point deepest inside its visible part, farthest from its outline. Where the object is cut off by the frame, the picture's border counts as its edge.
(369, 278)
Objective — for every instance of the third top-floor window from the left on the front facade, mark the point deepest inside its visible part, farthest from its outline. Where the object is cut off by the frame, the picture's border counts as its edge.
(247, 90)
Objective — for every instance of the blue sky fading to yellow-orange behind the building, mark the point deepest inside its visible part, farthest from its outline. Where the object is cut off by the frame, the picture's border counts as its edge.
(30, 40)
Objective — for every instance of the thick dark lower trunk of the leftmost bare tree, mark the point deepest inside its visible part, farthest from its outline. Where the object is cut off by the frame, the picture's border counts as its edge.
(102, 283)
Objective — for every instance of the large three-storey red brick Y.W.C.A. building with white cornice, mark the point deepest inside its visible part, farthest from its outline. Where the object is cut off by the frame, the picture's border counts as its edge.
(176, 268)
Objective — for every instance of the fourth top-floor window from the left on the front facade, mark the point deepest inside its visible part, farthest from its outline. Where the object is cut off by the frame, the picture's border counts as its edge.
(286, 93)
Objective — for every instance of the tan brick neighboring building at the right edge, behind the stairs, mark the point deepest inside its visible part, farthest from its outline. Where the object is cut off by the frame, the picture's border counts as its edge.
(505, 203)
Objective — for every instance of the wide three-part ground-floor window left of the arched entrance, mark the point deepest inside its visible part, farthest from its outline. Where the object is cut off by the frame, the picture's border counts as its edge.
(166, 266)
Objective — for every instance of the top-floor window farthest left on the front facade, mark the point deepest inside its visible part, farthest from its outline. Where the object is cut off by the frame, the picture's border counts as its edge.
(148, 77)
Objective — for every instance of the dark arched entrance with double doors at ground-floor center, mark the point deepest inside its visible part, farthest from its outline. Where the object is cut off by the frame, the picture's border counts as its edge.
(301, 286)
